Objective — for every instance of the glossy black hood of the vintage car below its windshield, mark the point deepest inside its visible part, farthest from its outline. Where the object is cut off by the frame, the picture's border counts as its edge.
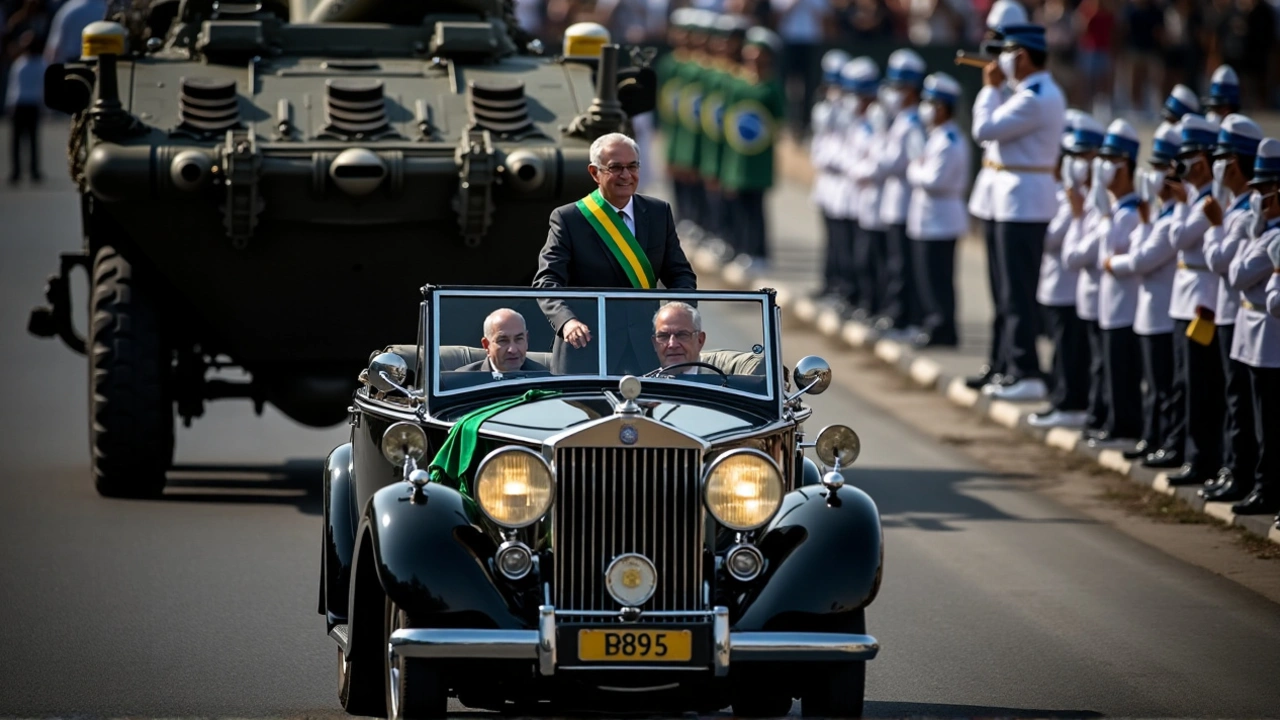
(542, 420)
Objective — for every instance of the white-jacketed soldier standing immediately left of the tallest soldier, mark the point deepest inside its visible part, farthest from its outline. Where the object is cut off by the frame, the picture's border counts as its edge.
(936, 217)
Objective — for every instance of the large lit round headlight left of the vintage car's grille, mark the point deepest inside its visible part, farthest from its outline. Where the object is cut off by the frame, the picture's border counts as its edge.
(514, 487)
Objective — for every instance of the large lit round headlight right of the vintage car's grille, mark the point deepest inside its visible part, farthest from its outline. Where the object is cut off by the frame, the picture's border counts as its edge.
(744, 490)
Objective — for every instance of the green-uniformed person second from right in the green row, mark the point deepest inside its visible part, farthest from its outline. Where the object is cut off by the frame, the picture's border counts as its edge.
(726, 57)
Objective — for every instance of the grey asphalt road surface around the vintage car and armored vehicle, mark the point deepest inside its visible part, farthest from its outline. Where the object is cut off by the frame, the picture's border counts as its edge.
(996, 600)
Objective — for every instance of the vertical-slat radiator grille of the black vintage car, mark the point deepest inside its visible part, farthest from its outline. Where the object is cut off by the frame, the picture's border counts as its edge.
(612, 502)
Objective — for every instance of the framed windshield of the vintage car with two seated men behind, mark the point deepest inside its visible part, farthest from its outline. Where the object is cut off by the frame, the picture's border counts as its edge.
(531, 339)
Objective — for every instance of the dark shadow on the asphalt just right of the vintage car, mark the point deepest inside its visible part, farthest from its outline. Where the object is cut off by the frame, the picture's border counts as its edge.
(935, 500)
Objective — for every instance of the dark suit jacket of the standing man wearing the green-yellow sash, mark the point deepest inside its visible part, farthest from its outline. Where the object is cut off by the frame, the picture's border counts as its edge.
(577, 257)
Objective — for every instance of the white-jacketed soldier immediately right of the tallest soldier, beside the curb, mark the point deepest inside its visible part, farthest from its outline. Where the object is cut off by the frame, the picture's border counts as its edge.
(1069, 370)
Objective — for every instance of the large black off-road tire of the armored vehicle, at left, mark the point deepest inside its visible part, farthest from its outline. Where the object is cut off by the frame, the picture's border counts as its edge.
(130, 405)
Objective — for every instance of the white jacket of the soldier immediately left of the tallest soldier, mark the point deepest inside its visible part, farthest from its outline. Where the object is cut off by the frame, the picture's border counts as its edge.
(939, 179)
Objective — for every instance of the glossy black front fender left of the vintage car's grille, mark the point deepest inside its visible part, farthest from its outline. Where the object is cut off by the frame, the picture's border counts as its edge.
(433, 559)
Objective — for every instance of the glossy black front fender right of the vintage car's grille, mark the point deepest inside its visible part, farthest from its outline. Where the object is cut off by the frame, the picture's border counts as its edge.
(824, 558)
